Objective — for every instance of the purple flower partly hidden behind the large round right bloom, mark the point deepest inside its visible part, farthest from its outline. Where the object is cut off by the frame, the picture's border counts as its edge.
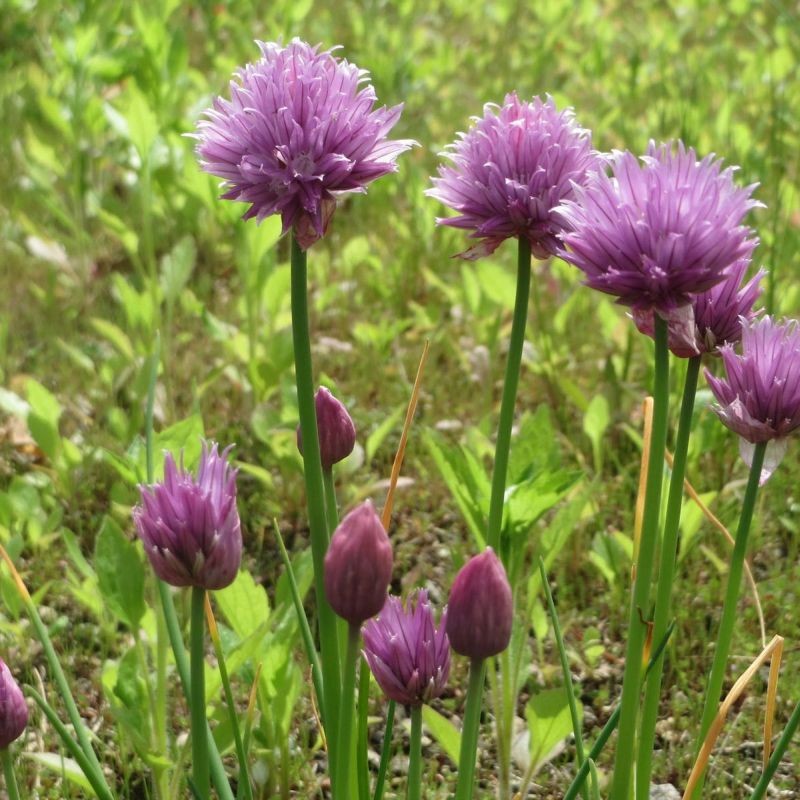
(714, 317)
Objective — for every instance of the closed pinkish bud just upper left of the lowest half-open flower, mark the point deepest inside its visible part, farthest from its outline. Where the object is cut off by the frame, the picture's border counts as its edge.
(358, 565)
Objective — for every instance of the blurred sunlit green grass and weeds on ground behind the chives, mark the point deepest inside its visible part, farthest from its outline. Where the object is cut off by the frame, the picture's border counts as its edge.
(102, 192)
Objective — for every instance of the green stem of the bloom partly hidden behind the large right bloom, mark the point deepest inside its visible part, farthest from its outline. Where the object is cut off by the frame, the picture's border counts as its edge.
(666, 578)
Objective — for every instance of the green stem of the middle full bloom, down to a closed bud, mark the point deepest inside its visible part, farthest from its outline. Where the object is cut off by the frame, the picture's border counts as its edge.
(509, 394)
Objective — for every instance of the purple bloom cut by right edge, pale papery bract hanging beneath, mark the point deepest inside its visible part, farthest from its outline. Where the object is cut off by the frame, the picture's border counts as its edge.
(760, 398)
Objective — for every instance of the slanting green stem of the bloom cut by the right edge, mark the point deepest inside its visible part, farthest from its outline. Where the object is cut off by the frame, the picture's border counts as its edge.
(728, 621)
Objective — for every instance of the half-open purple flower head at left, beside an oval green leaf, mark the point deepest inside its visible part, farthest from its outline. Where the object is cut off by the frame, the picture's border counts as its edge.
(190, 527)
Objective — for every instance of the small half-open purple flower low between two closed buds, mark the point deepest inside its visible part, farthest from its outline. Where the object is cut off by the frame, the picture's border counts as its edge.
(408, 655)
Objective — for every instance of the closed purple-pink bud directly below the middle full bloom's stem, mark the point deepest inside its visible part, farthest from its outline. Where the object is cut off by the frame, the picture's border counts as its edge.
(480, 611)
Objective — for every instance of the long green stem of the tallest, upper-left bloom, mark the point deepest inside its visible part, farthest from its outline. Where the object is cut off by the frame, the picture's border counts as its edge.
(315, 493)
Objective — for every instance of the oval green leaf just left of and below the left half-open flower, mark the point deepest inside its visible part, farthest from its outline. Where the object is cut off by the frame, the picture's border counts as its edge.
(120, 573)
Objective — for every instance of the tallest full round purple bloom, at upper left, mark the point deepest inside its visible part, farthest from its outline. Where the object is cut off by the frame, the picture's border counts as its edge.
(299, 130)
